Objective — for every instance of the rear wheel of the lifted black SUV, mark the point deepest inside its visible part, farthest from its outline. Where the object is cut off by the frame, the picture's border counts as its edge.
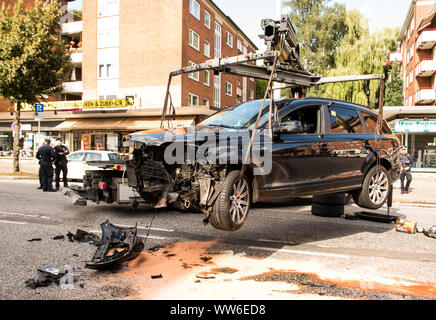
(375, 189)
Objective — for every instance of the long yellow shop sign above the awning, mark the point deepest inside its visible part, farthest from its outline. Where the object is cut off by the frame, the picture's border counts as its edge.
(79, 105)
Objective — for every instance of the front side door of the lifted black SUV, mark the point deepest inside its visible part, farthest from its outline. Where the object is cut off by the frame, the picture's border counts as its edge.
(297, 167)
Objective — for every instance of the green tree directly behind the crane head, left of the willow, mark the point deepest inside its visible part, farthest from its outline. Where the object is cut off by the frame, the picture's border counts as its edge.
(320, 27)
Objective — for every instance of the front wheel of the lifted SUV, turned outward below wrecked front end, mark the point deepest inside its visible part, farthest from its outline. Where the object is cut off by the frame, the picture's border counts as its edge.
(232, 206)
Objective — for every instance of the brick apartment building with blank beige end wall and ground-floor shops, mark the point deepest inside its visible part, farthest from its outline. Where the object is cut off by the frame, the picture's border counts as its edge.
(123, 52)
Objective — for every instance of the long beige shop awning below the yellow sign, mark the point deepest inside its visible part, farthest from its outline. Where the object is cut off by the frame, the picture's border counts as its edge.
(122, 124)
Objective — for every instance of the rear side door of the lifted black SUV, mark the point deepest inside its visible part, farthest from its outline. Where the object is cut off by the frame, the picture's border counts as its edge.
(344, 144)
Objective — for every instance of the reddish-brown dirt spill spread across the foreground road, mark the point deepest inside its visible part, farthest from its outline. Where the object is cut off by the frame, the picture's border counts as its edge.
(186, 270)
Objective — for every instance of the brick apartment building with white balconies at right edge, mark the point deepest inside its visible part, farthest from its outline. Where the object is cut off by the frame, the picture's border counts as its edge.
(415, 122)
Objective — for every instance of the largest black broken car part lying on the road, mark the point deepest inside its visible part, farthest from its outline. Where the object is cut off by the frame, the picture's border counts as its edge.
(117, 245)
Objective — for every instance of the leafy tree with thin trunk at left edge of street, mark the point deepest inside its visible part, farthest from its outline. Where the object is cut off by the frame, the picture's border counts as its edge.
(33, 62)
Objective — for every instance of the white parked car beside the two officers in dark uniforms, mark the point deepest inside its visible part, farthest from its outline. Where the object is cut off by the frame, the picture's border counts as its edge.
(77, 162)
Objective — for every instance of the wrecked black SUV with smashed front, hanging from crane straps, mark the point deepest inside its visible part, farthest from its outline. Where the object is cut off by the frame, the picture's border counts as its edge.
(319, 146)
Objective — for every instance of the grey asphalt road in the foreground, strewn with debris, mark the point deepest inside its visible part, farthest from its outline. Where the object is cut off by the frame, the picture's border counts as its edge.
(282, 244)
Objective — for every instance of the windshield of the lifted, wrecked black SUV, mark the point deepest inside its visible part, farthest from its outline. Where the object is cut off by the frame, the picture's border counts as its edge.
(242, 116)
